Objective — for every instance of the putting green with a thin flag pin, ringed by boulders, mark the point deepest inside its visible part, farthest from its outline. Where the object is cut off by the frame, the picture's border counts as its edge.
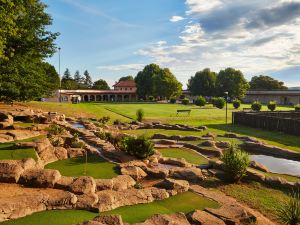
(96, 167)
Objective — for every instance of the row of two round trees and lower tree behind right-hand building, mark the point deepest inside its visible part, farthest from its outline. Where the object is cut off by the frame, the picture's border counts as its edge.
(209, 83)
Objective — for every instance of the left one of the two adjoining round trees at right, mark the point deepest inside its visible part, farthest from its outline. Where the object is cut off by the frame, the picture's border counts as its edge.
(203, 83)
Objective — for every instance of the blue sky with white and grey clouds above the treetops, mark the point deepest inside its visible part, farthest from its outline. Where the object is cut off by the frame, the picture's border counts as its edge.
(119, 37)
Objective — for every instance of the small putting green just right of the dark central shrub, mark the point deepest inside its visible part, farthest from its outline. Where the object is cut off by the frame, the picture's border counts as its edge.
(189, 155)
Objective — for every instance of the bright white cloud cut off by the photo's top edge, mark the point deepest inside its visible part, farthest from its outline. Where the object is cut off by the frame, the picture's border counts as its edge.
(200, 6)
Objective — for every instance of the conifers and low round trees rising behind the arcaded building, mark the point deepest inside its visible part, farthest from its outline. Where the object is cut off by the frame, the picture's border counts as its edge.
(82, 82)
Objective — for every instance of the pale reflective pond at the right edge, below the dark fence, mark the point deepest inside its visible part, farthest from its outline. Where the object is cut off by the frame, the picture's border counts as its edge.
(278, 165)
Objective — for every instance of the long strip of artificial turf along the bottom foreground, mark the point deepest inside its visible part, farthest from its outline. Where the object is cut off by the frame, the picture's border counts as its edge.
(185, 202)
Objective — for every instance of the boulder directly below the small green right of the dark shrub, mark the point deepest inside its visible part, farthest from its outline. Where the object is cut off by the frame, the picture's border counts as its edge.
(192, 174)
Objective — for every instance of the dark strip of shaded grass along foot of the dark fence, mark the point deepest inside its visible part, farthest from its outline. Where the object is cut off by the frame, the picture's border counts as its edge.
(275, 136)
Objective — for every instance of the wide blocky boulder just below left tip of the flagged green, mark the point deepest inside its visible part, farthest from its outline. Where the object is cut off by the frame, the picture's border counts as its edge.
(39, 177)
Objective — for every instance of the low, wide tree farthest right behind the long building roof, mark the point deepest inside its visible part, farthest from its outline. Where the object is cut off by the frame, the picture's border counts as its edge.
(266, 83)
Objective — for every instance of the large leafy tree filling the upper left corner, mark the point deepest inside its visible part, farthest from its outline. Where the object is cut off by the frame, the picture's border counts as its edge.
(24, 43)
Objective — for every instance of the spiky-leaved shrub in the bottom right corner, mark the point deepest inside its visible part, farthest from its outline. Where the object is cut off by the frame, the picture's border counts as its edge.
(289, 212)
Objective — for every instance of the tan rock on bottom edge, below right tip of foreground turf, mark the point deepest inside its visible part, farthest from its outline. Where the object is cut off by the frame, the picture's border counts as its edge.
(203, 218)
